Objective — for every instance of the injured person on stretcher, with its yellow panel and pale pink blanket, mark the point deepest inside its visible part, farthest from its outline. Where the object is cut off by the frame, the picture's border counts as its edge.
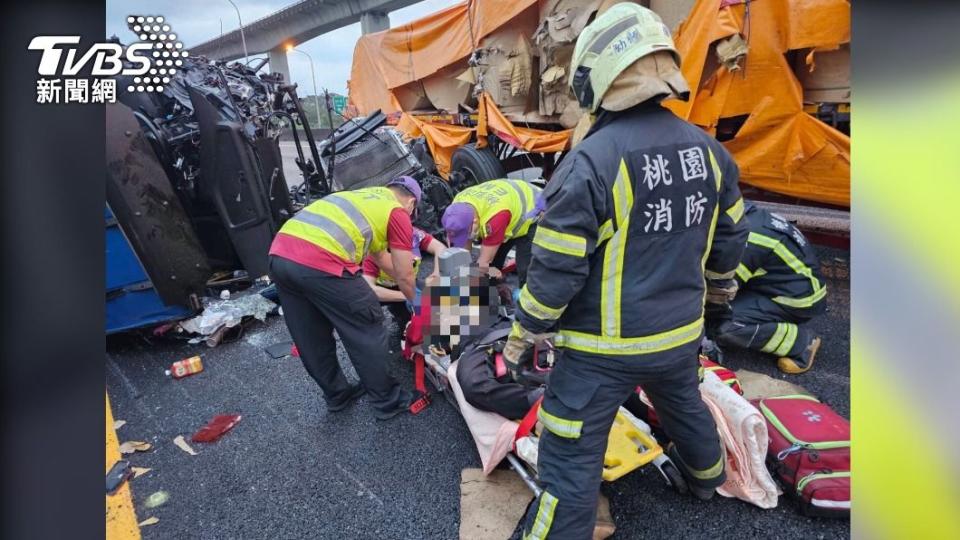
(502, 414)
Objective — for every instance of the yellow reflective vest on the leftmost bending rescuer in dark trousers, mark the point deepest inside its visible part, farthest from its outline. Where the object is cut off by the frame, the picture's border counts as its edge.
(349, 224)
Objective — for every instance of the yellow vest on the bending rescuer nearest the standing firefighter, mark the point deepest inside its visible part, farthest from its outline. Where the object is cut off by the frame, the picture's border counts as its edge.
(494, 196)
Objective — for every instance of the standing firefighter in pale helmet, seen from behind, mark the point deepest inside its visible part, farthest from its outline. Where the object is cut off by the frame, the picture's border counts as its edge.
(643, 219)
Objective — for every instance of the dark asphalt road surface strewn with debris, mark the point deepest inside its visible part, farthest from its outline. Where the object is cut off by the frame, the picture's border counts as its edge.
(291, 469)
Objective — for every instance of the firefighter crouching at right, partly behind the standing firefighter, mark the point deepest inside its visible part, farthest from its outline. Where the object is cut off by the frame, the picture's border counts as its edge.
(780, 288)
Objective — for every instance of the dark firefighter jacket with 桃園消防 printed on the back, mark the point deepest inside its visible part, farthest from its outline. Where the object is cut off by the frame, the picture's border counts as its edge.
(638, 215)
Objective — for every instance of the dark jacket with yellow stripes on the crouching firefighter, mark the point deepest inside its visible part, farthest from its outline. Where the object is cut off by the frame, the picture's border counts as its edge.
(780, 263)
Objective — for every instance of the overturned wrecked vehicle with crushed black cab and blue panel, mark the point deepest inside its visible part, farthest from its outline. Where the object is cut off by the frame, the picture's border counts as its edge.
(196, 187)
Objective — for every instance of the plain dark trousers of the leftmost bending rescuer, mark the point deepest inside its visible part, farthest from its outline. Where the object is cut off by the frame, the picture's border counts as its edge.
(314, 305)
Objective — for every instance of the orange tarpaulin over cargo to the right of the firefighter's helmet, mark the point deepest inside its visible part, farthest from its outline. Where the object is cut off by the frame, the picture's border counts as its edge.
(779, 148)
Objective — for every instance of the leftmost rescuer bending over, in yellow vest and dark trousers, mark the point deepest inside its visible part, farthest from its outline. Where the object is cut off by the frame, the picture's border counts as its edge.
(315, 261)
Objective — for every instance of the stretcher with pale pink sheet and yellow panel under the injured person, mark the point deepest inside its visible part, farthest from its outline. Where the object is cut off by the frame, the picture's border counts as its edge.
(630, 444)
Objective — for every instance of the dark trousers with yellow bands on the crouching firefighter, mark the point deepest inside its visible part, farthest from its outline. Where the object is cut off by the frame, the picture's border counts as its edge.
(759, 323)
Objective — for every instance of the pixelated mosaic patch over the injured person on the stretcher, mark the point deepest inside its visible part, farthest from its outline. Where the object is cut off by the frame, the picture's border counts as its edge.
(460, 306)
